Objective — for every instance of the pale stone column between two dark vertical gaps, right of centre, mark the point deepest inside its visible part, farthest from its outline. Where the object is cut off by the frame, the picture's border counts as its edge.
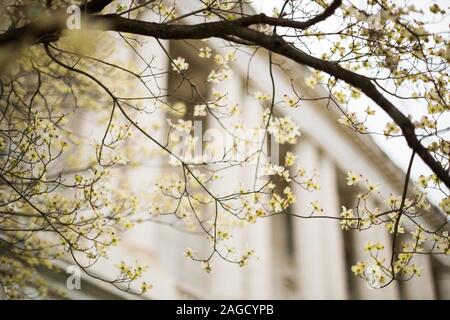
(320, 255)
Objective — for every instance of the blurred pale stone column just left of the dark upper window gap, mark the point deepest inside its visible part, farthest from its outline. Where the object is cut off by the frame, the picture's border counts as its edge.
(151, 243)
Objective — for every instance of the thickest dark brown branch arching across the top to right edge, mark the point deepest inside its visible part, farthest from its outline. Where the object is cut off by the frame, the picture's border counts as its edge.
(238, 28)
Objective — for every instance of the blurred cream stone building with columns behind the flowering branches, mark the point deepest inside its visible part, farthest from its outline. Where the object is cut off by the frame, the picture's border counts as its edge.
(297, 258)
